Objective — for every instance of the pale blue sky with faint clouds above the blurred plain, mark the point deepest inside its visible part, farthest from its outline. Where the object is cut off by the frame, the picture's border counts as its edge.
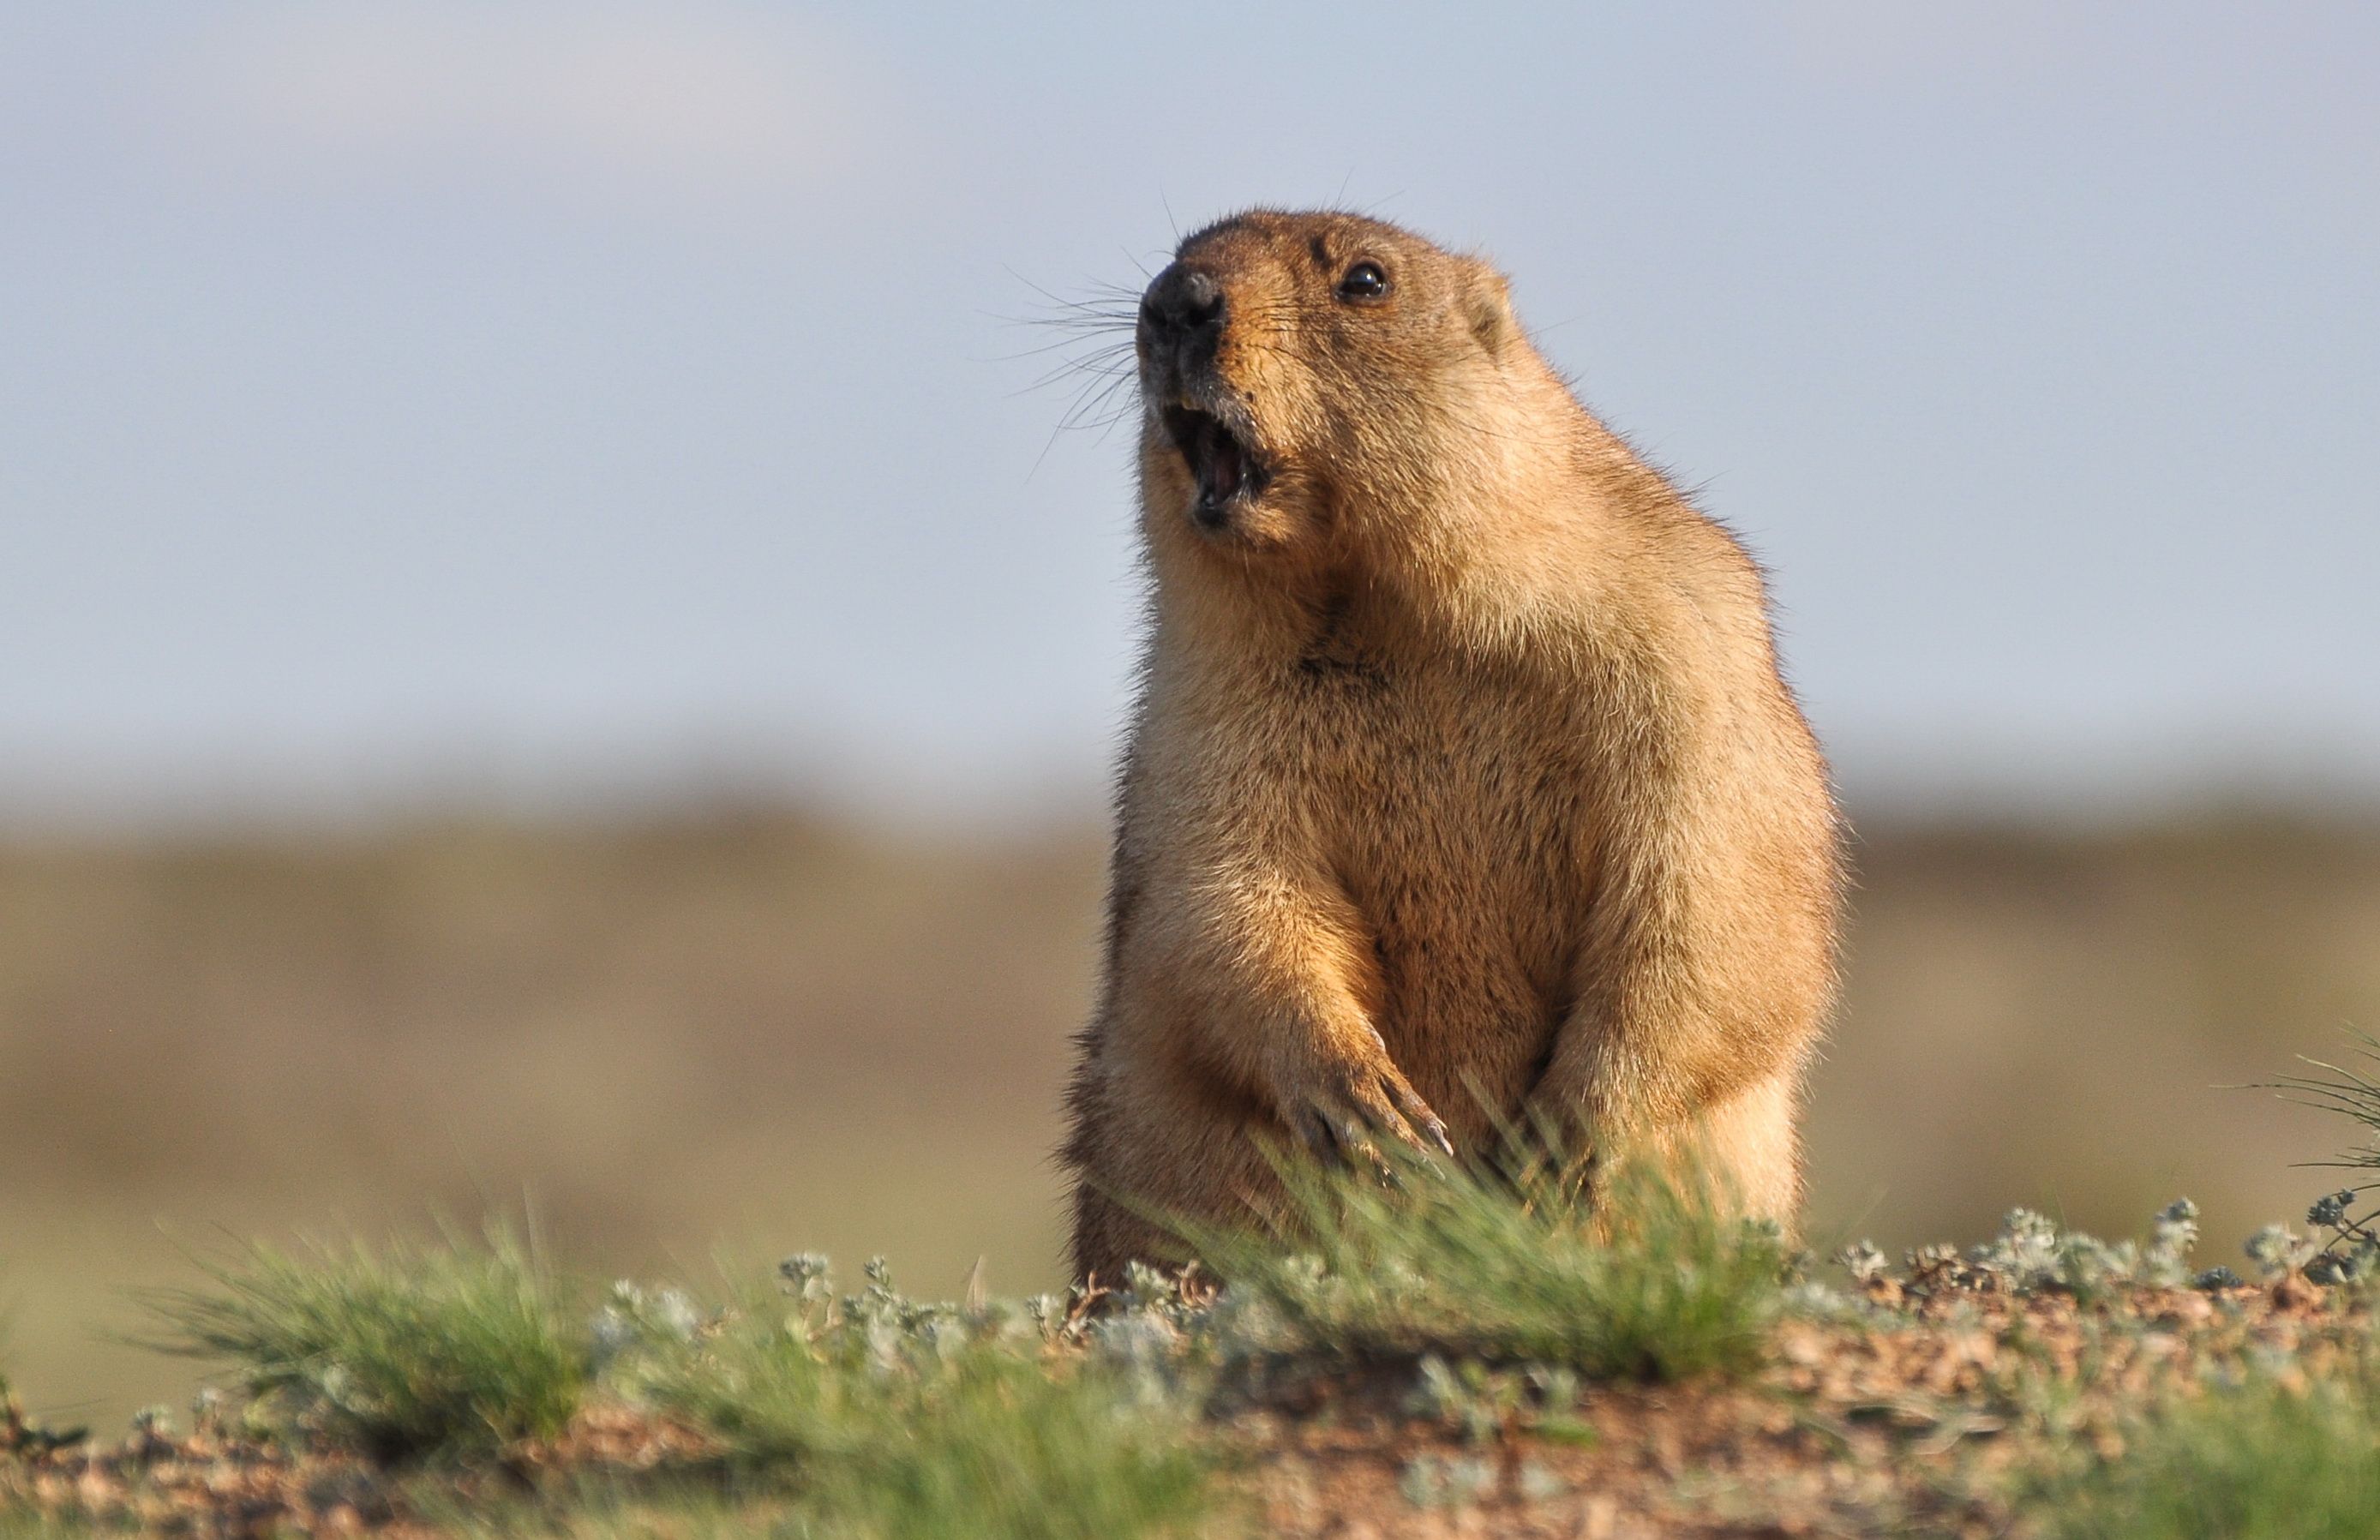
(546, 399)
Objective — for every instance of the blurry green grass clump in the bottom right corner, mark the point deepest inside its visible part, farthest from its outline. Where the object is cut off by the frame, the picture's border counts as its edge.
(2260, 1463)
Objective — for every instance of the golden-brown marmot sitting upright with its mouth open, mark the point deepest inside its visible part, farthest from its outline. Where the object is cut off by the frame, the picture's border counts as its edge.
(1463, 787)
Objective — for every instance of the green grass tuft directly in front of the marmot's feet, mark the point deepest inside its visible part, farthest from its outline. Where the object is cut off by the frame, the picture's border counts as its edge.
(1463, 1263)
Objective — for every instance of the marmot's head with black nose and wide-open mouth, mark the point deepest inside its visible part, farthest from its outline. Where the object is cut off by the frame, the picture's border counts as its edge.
(1303, 373)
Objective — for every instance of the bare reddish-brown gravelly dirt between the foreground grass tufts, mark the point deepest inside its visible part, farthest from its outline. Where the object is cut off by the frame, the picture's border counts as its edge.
(1919, 1420)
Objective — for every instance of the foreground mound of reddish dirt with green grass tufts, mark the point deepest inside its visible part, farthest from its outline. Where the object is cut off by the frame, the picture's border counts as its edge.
(1393, 1348)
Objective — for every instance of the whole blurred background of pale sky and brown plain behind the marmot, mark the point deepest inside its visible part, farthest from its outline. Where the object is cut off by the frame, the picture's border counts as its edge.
(556, 649)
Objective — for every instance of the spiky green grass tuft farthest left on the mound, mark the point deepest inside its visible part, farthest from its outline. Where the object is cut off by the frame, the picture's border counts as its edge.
(403, 1351)
